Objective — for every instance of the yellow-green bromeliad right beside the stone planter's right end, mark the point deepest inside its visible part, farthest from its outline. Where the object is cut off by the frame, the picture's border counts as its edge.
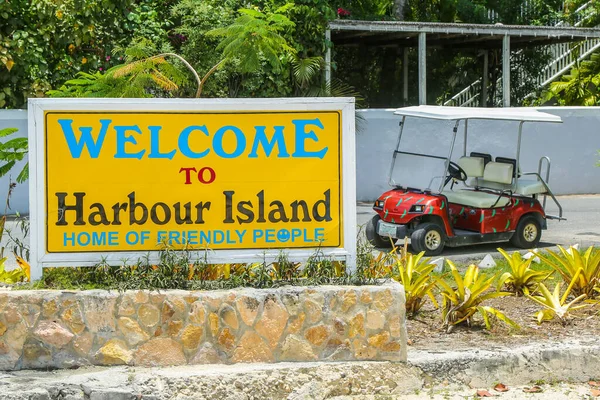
(414, 272)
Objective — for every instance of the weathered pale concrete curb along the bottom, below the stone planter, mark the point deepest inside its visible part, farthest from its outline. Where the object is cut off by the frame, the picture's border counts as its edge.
(575, 361)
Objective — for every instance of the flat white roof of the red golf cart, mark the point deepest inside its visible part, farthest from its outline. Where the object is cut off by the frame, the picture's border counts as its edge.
(458, 113)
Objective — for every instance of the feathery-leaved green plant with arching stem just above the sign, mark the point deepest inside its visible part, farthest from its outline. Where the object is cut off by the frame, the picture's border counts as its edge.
(252, 37)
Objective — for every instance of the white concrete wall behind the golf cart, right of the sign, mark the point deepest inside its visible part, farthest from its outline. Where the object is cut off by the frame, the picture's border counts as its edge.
(572, 147)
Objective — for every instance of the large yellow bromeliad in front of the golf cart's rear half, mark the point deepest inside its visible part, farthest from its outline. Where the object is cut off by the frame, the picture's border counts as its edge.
(463, 301)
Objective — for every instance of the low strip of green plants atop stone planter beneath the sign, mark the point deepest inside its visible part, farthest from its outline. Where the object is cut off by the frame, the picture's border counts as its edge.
(190, 270)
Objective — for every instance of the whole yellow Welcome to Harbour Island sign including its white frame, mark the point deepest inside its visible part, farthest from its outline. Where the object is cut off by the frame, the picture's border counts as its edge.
(243, 179)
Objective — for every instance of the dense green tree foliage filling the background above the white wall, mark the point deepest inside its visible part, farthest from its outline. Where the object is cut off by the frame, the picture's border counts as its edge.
(236, 48)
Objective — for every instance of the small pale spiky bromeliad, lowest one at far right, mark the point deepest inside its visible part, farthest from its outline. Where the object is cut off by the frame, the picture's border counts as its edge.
(555, 305)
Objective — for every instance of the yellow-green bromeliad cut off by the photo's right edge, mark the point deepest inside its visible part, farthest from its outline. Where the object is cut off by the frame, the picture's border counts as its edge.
(580, 269)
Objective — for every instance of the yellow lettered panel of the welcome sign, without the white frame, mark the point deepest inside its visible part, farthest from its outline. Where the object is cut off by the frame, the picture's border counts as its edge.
(221, 180)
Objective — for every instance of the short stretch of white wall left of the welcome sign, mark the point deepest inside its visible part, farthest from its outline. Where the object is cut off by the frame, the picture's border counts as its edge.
(19, 200)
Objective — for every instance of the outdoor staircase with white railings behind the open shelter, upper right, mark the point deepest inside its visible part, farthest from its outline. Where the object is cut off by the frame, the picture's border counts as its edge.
(564, 56)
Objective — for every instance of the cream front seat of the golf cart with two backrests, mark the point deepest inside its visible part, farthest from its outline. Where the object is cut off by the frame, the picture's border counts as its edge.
(497, 174)
